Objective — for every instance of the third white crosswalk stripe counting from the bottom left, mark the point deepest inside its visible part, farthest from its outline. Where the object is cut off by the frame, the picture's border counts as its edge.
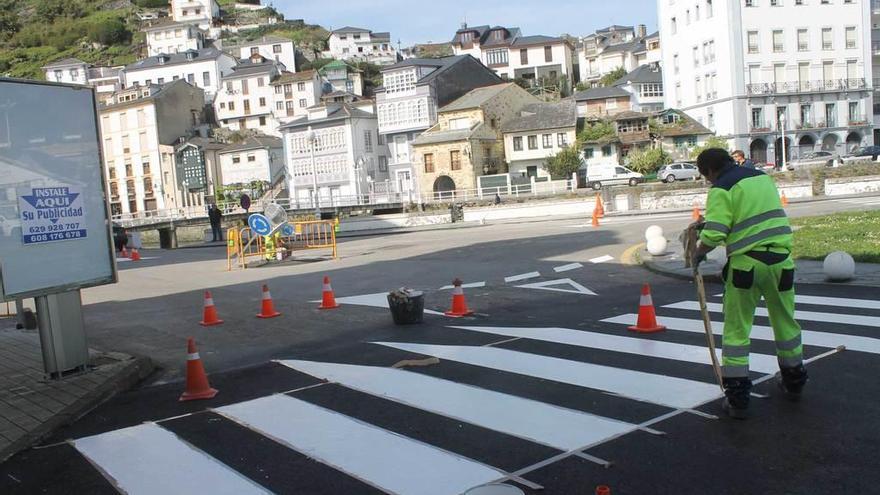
(546, 424)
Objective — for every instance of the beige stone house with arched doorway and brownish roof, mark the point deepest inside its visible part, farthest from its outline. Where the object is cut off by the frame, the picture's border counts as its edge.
(467, 142)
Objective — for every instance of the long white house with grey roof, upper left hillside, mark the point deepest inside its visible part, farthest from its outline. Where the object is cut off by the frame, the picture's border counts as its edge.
(202, 68)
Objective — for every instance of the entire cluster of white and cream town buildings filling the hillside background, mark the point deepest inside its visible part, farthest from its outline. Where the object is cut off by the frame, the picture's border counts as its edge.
(784, 79)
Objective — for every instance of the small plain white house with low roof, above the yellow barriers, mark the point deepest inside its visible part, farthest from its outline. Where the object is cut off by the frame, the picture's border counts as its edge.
(256, 159)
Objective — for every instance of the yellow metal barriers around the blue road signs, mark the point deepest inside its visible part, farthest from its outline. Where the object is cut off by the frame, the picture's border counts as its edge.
(243, 244)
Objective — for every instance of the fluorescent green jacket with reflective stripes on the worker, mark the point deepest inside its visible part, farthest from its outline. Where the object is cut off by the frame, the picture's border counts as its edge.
(743, 212)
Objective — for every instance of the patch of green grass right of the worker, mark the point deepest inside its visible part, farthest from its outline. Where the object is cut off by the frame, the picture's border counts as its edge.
(857, 233)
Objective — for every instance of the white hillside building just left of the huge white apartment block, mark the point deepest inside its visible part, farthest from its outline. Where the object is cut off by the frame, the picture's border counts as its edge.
(615, 47)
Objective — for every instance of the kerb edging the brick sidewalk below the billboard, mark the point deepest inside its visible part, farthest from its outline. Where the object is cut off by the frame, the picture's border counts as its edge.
(132, 370)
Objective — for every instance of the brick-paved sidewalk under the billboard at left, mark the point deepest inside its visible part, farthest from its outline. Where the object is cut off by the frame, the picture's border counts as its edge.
(31, 406)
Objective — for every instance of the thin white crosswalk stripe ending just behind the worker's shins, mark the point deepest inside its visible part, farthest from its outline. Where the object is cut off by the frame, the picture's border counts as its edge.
(654, 348)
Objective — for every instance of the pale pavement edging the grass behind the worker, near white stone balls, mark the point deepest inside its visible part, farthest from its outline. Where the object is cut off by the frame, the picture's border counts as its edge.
(808, 271)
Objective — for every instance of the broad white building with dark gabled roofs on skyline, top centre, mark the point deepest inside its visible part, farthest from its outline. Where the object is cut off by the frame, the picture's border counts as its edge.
(511, 55)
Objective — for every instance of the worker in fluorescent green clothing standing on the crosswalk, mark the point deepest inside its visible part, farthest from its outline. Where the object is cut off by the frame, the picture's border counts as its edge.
(744, 213)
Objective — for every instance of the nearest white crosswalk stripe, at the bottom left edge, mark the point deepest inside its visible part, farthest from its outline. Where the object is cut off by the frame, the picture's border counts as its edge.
(148, 459)
